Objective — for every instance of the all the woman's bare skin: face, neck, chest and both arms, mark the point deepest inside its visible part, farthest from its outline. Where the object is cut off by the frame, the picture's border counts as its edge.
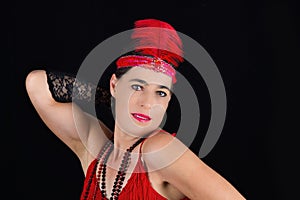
(144, 91)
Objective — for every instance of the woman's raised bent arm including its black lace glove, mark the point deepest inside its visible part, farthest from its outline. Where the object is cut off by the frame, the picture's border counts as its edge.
(51, 95)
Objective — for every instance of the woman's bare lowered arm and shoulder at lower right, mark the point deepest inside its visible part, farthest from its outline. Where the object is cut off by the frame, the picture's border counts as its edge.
(180, 167)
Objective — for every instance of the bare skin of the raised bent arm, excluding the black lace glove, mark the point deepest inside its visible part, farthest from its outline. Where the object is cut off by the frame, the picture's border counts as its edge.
(66, 120)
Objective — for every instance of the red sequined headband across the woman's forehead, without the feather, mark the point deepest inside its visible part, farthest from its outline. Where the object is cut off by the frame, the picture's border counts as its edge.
(152, 63)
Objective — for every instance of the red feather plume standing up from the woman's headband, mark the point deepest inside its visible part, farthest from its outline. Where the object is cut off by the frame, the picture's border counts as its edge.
(162, 41)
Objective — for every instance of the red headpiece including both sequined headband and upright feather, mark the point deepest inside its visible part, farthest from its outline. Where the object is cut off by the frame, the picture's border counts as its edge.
(158, 45)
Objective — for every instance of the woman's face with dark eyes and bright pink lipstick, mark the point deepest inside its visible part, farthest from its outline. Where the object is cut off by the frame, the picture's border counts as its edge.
(141, 99)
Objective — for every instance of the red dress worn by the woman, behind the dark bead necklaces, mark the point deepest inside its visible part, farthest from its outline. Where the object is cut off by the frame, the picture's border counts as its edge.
(138, 186)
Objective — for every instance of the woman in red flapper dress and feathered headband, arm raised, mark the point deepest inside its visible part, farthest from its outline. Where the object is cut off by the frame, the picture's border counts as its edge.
(137, 160)
